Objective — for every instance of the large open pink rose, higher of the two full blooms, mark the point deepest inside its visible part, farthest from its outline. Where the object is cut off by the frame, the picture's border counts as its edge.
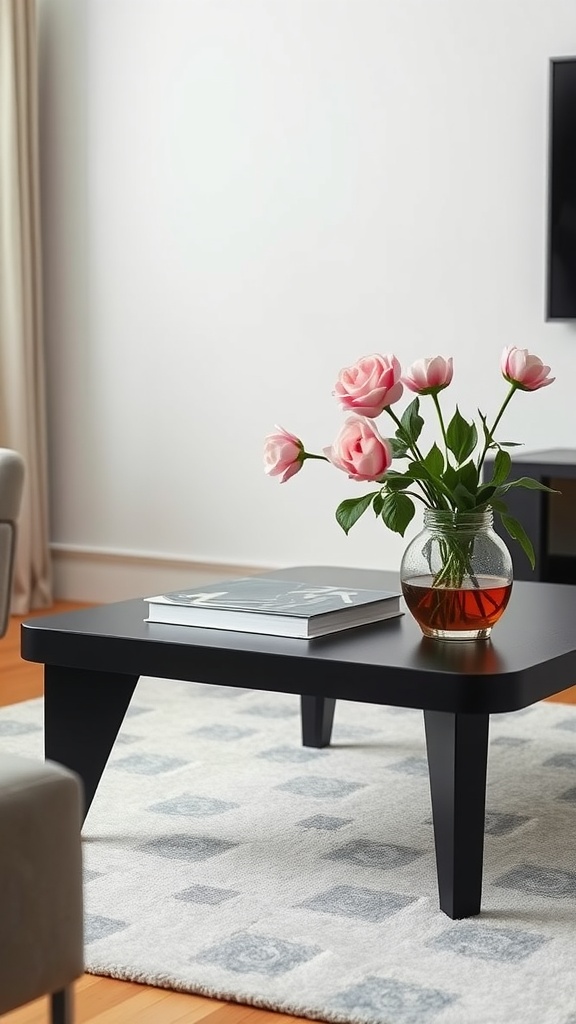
(371, 386)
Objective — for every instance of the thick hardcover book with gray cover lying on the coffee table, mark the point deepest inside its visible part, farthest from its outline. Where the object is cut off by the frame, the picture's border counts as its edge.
(278, 608)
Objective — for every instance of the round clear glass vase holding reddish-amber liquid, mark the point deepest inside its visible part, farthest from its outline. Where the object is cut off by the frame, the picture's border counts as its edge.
(457, 576)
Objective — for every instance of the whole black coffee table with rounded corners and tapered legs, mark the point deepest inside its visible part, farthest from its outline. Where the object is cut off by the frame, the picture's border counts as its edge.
(94, 659)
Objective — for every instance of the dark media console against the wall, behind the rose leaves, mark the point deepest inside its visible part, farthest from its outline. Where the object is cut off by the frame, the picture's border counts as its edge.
(550, 521)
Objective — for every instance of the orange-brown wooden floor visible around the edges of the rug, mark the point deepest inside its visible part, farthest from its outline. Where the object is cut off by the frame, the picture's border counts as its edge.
(105, 1001)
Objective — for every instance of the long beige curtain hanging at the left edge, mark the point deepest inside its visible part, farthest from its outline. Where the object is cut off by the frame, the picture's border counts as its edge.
(23, 407)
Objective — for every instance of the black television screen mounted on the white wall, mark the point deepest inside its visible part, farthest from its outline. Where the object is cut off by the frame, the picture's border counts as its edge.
(561, 302)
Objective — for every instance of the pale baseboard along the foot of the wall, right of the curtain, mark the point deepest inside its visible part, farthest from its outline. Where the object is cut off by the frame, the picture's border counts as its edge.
(101, 576)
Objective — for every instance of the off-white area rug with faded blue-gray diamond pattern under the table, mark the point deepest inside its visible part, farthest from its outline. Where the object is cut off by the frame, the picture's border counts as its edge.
(225, 860)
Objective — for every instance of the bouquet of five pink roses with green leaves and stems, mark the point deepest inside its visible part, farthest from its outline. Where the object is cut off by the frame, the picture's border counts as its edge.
(449, 480)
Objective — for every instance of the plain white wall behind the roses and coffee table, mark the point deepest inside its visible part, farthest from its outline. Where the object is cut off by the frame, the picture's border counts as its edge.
(243, 196)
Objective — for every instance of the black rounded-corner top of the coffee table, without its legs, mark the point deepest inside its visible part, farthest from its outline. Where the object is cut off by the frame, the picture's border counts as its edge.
(531, 655)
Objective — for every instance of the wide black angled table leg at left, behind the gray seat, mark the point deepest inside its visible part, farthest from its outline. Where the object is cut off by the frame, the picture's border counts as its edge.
(84, 711)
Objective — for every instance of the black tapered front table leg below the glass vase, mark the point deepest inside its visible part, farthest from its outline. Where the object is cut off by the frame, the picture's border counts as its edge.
(458, 748)
